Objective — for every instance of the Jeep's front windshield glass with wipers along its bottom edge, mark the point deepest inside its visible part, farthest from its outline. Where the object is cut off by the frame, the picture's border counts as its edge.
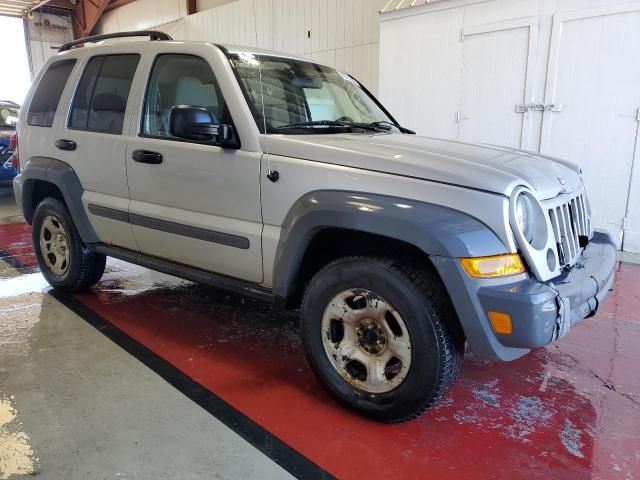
(303, 97)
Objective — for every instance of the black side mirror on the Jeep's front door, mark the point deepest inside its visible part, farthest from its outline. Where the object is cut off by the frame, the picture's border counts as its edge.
(197, 123)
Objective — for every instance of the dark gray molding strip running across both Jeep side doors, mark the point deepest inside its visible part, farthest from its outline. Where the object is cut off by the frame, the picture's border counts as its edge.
(197, 233)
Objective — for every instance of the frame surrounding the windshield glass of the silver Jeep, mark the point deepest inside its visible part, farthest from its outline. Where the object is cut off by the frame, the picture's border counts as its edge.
(257, 116)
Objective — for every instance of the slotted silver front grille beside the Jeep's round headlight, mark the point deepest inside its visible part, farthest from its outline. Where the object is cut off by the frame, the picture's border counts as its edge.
(569, 215)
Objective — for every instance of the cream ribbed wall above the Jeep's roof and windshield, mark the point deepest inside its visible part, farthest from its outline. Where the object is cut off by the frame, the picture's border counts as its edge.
(340, 33)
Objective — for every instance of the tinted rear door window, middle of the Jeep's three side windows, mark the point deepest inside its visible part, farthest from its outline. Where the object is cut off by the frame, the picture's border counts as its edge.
(103, 92)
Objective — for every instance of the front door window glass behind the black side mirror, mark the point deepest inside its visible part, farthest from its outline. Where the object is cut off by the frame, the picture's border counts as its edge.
(178, 79)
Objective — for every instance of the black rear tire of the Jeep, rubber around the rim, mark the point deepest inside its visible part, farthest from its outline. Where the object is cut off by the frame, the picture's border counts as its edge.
(85, 268)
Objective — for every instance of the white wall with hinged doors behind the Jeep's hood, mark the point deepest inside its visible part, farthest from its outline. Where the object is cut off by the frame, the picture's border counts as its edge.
(533, 74)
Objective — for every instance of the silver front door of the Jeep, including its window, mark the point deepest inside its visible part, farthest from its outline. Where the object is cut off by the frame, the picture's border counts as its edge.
(195, 204)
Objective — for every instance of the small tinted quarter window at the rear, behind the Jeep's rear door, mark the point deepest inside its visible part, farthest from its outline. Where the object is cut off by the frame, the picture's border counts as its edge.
(45, 100)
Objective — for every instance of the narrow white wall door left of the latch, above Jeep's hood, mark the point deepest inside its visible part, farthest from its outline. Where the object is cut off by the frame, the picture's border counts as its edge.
(498, 63)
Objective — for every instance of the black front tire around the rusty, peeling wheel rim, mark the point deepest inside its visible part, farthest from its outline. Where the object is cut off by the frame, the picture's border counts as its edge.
(419, 297)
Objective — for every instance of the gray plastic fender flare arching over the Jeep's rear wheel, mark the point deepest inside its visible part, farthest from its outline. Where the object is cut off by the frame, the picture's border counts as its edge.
(65, 178)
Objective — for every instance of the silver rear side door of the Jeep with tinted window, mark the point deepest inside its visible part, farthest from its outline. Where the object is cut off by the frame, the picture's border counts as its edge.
(92, 142)
